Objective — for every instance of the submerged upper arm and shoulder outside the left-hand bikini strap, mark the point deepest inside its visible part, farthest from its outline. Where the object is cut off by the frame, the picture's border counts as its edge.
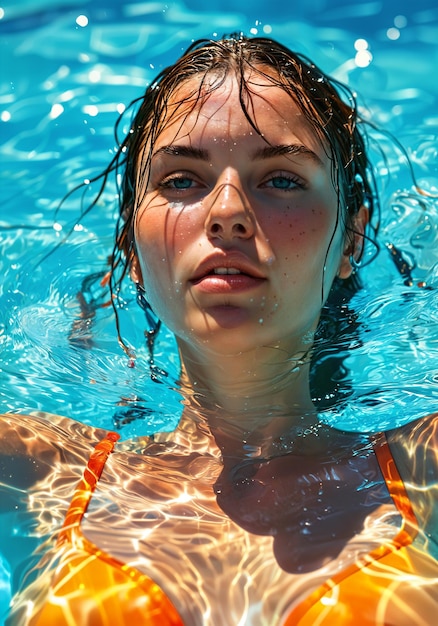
(41, 460)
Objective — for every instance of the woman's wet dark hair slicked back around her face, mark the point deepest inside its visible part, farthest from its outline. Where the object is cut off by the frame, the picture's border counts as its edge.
(329, 107)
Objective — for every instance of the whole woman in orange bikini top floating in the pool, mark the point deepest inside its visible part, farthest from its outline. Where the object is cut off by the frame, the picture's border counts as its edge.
(245, 202)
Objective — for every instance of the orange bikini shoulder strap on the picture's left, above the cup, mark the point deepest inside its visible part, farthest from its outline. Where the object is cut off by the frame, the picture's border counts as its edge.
(86, 486)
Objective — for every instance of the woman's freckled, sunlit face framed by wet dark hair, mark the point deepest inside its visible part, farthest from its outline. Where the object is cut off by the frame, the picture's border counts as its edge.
(238, 235)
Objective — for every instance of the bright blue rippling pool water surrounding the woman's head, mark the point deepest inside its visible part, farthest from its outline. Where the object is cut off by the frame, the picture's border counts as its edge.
(69, 68)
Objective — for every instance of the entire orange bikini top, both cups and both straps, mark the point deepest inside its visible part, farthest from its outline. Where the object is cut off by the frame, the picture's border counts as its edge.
(91, 587)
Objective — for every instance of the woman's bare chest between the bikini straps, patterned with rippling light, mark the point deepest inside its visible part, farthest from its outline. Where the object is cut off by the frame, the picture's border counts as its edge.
(258, 538)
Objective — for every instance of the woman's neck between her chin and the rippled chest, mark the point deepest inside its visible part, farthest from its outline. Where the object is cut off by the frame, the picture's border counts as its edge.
(257, 396)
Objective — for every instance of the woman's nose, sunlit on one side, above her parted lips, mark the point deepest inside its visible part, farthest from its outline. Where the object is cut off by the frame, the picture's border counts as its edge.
(229, 215)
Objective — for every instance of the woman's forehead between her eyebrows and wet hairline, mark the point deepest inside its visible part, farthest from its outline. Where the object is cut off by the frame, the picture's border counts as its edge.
(208, 105)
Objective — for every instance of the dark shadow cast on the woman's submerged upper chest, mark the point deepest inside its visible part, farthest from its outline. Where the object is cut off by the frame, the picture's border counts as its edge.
(311, 506)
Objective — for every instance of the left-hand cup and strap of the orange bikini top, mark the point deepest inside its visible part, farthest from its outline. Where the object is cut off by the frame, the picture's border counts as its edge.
(92, 587)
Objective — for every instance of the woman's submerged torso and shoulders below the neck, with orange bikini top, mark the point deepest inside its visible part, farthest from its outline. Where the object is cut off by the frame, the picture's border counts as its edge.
(269, 537)
